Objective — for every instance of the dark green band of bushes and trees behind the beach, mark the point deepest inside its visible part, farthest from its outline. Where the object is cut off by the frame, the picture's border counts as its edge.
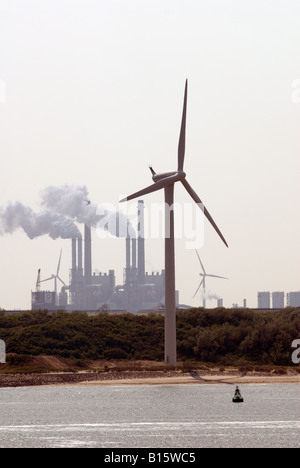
(220, 336)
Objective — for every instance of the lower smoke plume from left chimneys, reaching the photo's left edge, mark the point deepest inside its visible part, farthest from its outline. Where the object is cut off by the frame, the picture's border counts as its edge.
(15, 215)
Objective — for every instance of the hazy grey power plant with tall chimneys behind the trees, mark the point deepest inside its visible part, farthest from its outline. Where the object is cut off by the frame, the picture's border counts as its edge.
(89, 291)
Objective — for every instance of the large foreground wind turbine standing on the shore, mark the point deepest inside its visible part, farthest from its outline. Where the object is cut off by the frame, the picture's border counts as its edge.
(167, 181)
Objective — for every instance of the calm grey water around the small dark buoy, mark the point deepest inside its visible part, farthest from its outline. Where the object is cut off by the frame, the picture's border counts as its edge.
(183, 416)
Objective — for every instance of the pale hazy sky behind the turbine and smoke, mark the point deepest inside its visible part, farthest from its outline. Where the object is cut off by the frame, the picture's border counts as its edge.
(91, 93)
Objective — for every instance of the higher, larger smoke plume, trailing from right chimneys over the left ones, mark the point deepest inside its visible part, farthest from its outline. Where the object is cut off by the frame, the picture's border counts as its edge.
(73, 201)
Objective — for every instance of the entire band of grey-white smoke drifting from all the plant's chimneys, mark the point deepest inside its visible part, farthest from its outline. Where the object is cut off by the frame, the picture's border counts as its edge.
(63, 206)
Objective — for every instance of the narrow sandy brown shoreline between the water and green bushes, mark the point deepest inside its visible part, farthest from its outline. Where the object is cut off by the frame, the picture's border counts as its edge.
(175, 377)
